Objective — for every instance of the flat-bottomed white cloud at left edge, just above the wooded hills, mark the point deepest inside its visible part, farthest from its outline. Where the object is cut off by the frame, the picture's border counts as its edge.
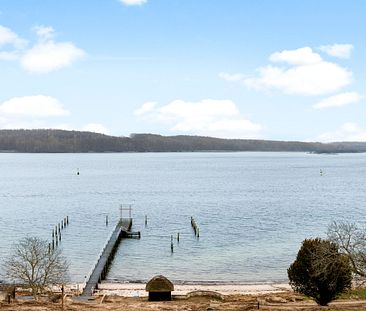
(38, 106)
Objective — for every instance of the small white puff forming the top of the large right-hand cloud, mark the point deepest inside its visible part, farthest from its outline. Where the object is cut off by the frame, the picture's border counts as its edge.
(301, 56)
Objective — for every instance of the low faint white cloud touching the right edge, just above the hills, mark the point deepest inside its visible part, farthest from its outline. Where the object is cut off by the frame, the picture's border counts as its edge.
(347, 132)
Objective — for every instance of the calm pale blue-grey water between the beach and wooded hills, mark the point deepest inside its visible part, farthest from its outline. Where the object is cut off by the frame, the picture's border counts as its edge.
(253, 209)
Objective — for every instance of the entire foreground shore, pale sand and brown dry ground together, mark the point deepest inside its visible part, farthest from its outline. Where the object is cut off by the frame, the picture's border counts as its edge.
(231, 297)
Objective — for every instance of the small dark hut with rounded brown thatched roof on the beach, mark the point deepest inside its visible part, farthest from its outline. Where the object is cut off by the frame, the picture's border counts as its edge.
(159, 288)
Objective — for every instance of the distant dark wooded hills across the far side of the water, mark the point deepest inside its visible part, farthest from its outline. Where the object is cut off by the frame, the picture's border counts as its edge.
(60, 141)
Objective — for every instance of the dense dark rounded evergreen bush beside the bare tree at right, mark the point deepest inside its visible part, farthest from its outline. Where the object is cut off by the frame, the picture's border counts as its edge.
(320, 271)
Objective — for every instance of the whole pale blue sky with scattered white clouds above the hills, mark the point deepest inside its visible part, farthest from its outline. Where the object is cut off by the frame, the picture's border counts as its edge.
(282, 70)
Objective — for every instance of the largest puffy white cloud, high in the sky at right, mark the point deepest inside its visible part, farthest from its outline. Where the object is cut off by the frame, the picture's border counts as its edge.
(303, 73)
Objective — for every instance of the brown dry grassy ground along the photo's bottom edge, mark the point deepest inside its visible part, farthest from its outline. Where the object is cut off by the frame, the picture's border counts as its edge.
(273, 302)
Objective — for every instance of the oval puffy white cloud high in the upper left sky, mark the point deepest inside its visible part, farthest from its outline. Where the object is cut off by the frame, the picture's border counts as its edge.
(50, 56)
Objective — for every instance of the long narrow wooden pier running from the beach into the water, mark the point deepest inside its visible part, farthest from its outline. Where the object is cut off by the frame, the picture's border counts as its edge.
(100, 269)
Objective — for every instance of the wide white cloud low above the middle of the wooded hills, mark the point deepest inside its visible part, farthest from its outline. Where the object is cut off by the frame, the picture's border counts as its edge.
(208, 117)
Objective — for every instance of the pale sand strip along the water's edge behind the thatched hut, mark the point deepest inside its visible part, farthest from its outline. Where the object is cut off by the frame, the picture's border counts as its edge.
(138, 289)
